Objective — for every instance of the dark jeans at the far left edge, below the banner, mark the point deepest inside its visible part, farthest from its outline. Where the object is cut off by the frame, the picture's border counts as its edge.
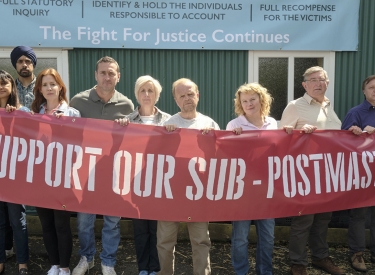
(17, 218)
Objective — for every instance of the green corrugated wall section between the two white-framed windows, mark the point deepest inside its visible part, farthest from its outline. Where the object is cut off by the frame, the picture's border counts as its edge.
(217, 74)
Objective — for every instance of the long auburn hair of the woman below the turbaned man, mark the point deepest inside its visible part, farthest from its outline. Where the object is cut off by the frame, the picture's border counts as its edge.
(39, 98)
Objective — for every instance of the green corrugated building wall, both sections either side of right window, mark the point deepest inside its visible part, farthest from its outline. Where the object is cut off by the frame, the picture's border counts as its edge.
(219, 73)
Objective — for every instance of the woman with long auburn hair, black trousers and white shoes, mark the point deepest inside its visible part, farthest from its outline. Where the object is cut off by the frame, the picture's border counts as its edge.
(50, 99)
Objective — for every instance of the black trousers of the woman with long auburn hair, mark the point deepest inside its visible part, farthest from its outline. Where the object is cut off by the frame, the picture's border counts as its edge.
(57, 235)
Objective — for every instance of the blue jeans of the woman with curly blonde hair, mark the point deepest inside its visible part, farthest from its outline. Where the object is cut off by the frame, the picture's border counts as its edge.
(239, 249)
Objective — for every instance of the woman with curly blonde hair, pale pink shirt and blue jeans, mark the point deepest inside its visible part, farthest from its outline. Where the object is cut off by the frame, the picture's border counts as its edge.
(252, 105)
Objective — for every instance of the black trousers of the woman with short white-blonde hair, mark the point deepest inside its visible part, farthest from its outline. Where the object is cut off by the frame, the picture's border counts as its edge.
(145, 245)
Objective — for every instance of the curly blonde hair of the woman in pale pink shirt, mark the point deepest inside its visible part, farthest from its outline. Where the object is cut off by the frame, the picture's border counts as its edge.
(253, 88)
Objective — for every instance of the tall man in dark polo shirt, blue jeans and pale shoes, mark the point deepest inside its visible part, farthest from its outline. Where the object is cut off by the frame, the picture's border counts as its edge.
(101, 102)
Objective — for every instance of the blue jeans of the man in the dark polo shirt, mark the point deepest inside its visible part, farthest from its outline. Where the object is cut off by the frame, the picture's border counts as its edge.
(110, 237)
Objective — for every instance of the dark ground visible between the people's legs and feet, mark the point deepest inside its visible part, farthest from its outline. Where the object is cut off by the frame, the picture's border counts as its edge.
(220, 259)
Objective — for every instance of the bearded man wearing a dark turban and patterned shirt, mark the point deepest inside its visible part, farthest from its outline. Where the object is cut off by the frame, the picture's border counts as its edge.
(24, 61)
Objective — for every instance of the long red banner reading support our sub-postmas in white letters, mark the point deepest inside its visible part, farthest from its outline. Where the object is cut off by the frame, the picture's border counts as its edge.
(142, 171)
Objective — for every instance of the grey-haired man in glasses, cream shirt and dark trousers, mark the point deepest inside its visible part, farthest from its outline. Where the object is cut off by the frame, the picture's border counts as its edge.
(308, 113)
